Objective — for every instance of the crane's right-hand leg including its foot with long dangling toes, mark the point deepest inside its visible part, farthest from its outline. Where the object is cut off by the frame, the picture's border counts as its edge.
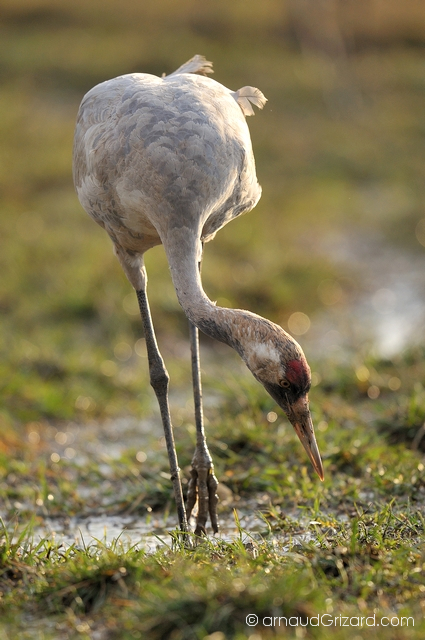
(203, 483)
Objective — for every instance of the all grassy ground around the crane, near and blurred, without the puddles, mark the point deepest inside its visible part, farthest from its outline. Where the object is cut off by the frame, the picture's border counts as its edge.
(339, 150)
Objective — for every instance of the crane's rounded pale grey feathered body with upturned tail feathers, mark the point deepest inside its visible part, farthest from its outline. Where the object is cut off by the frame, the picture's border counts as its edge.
(152, 154)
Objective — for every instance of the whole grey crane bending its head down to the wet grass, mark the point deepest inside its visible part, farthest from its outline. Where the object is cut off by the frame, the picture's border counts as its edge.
(169, 161)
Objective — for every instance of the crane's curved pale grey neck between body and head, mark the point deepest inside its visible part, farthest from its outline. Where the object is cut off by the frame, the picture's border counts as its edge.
(184, 254)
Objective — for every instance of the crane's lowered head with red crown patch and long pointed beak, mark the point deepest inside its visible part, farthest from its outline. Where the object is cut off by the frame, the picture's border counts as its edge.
(278, 362)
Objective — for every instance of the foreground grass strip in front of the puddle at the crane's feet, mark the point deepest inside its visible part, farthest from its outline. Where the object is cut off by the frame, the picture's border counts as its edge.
(372, 567)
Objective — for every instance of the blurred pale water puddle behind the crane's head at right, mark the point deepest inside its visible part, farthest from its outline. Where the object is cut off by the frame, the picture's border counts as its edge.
(387, 310)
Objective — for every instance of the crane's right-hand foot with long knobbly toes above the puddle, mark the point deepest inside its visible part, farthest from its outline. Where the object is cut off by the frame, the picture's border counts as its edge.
(202, 488)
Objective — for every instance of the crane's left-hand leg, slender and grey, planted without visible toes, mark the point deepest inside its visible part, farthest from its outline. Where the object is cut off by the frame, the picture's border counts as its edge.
(159, 380)
